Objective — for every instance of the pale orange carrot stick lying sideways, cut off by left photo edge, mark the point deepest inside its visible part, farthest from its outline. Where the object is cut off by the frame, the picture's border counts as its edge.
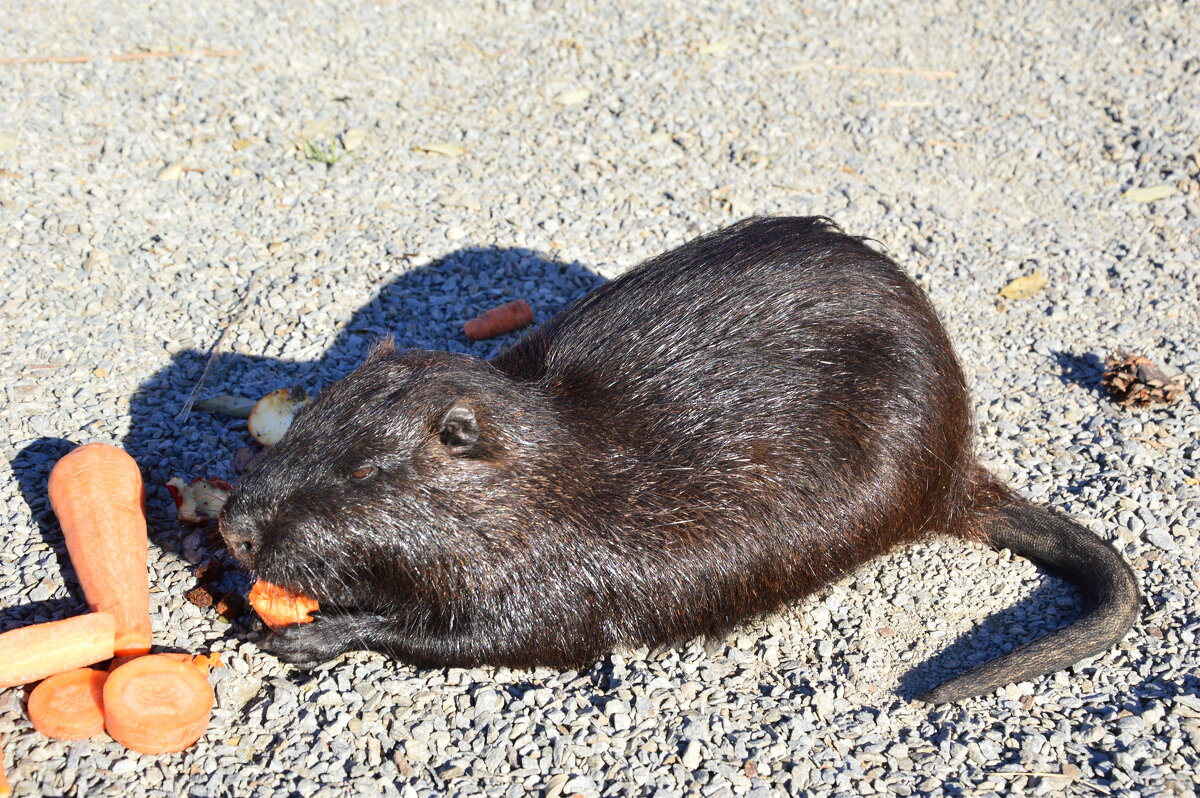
(37, 652)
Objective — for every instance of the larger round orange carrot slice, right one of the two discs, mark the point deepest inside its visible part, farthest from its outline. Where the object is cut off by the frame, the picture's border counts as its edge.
(157, 705)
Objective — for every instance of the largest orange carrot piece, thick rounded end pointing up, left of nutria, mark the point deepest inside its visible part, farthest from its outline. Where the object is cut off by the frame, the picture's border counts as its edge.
(98, 494)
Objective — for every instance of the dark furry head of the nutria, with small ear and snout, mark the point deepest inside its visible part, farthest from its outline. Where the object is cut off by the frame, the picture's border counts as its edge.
(386, 485)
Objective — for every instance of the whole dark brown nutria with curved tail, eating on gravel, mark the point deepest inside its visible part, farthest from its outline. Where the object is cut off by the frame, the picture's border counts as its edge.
(722, 430)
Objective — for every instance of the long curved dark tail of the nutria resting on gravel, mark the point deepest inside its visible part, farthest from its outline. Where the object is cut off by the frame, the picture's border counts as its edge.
(1111, 598)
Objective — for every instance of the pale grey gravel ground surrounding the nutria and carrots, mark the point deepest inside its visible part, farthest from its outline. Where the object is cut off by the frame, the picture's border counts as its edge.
(509, 149)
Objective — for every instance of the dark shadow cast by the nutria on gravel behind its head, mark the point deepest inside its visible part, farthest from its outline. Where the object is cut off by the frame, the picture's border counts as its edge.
(415, 308)
